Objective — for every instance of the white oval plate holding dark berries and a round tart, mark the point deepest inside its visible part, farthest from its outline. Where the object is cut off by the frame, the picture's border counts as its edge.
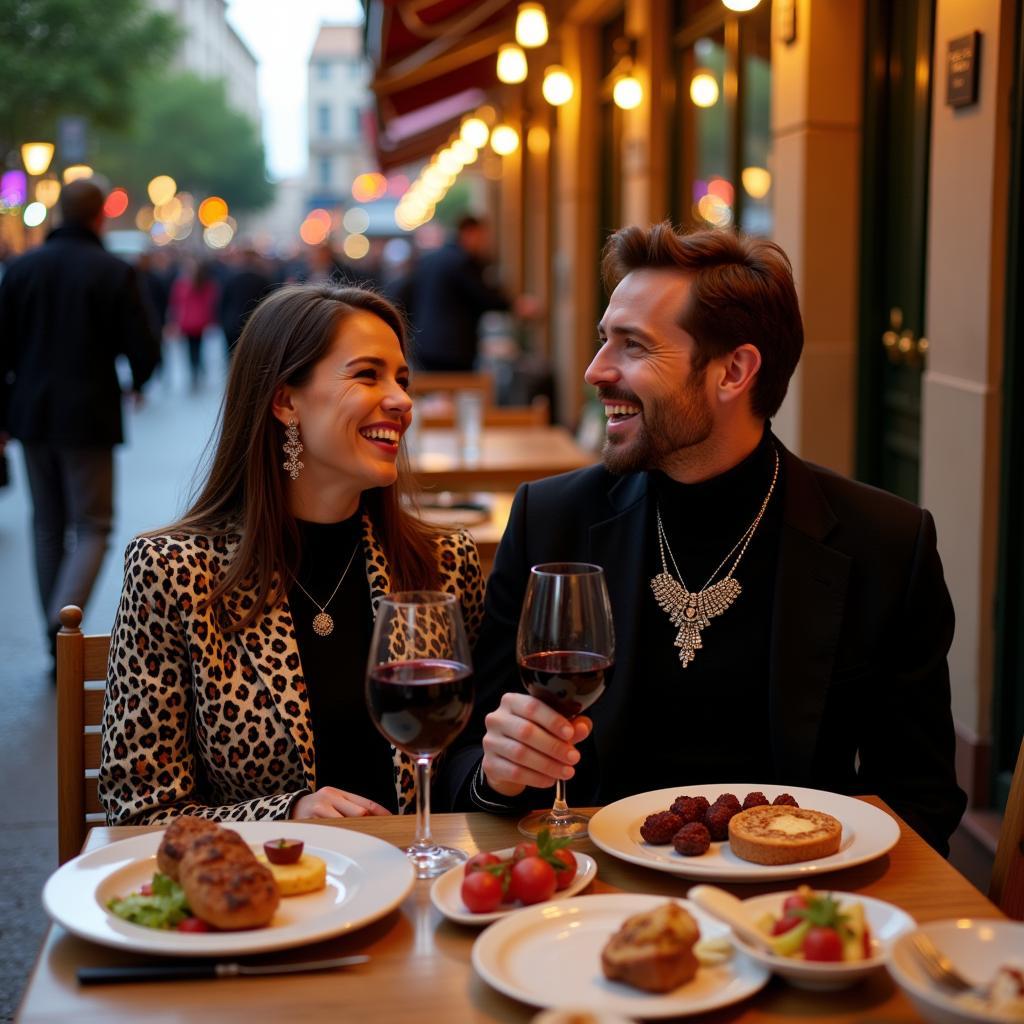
(868, 833)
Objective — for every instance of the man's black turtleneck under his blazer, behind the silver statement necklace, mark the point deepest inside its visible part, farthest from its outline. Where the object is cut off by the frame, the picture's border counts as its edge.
(708, 722)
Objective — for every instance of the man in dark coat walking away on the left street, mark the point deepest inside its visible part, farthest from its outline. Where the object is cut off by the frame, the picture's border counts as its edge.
(68, 310)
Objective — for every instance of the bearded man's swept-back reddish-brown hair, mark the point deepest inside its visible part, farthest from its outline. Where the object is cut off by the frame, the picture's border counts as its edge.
(742, 292)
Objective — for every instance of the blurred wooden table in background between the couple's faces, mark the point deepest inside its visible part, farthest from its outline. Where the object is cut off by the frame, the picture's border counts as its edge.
(508, 457)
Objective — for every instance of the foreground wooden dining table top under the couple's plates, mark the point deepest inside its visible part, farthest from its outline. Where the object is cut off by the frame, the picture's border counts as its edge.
(421, 971)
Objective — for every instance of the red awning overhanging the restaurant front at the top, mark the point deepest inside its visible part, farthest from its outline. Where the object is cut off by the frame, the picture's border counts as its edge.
(434, 60)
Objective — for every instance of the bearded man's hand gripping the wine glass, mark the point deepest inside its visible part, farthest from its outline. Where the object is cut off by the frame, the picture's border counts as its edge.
(528, 744)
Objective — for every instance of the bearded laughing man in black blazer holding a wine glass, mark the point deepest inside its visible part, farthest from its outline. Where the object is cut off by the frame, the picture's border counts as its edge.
(826, 667)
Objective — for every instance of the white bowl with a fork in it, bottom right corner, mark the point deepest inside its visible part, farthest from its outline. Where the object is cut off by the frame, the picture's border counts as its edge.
(977, 948)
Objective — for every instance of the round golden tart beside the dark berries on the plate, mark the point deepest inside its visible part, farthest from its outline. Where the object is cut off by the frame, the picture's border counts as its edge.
(782, 835)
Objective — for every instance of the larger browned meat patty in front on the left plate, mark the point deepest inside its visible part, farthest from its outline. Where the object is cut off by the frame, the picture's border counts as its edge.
(233, 895)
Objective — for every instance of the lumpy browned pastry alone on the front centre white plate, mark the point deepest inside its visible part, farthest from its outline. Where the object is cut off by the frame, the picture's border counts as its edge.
(654, 951)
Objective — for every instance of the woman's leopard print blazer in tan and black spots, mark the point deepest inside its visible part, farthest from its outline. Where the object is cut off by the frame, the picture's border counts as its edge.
(200, 721)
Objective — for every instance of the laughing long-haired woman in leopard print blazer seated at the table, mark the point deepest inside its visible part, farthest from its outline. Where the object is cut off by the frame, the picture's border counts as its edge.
(236, 679)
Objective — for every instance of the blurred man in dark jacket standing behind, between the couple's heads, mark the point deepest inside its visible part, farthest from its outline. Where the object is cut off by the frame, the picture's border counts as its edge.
(448, 294)
